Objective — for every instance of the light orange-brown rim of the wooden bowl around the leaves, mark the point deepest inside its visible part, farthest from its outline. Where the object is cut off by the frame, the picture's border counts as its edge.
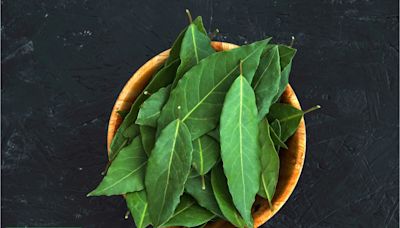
(138, 81)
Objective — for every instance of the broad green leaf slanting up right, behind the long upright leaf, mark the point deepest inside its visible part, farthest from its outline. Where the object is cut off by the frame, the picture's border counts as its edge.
(197, 99)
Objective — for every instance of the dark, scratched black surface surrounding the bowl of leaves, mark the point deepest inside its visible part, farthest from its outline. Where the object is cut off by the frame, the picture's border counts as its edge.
(65, 61)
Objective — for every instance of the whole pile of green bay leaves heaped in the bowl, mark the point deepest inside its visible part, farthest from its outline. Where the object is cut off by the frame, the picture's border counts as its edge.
(202, 140)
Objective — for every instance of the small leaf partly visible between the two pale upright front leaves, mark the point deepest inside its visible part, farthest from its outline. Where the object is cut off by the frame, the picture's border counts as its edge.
(205, 154)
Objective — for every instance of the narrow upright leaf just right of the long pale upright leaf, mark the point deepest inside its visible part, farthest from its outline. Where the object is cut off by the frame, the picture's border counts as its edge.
(269, 163)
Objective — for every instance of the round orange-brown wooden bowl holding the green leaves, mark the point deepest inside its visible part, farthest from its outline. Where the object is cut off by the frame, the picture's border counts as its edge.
(291, 160)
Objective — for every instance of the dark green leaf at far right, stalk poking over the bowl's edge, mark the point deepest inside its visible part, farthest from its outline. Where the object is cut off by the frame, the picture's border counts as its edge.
(288, 116)
